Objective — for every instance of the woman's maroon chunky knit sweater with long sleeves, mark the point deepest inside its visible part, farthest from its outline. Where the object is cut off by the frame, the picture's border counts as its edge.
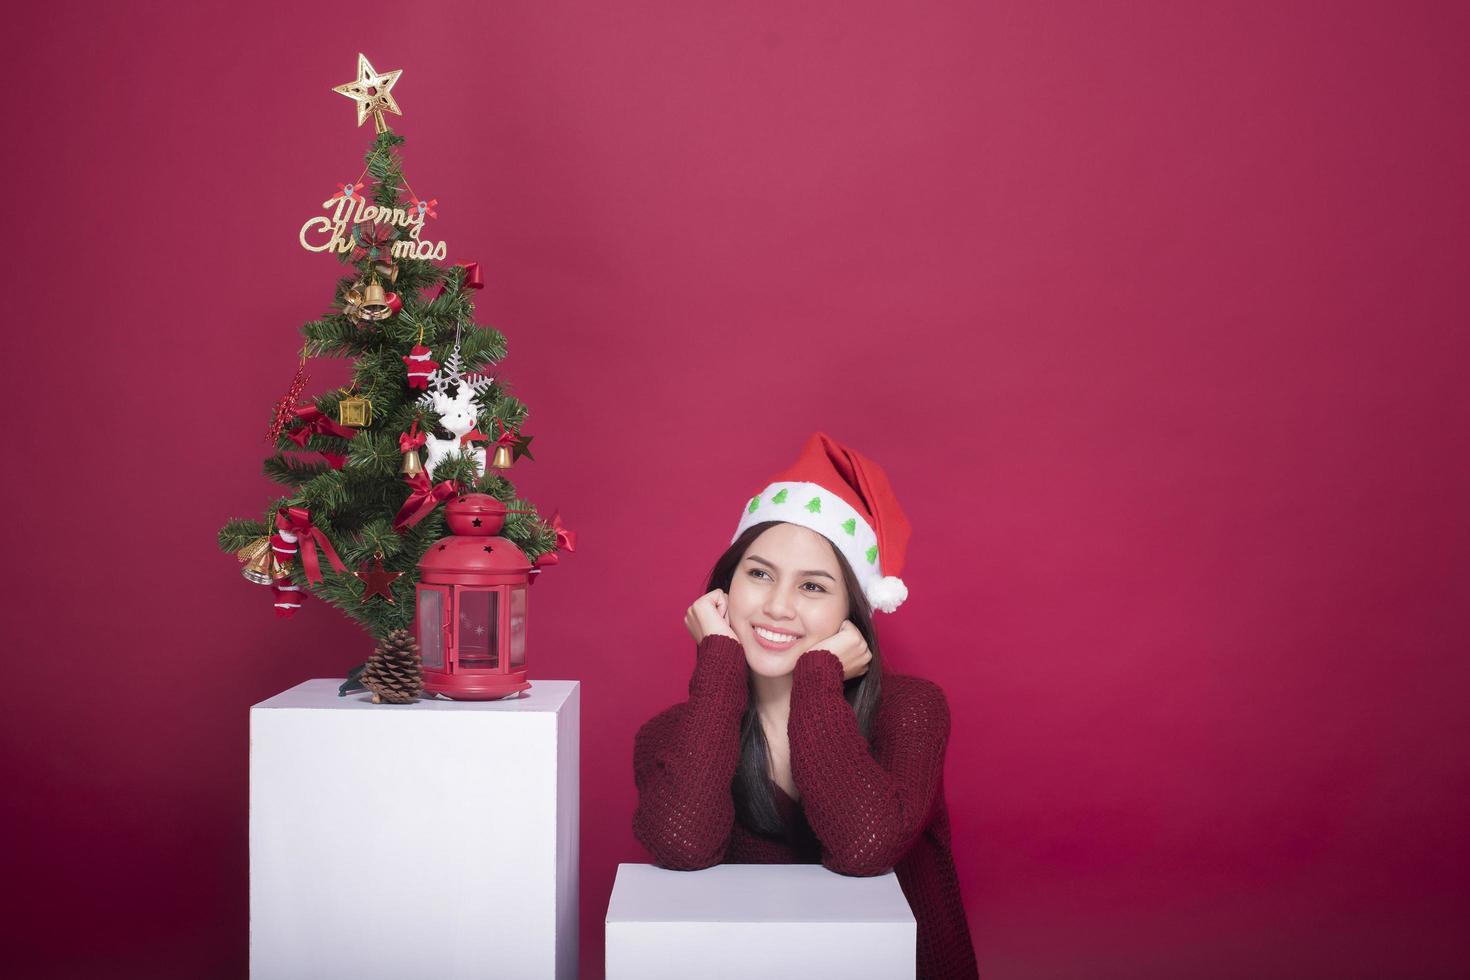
(862, 810)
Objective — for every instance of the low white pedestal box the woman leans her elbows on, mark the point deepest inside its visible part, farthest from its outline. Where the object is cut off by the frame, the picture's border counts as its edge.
(758, 920)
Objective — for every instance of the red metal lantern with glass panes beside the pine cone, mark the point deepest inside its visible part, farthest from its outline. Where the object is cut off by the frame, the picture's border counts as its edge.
(471, 615)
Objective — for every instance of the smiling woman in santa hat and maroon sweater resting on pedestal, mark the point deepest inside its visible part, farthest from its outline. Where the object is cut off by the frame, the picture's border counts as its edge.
(795, 746)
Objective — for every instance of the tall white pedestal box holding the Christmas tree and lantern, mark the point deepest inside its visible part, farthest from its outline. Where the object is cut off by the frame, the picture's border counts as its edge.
(431, 840)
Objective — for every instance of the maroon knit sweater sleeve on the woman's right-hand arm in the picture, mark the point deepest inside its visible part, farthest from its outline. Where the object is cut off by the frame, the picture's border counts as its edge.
(867, 810)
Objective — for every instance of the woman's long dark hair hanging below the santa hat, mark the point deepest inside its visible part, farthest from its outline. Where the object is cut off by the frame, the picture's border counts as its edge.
(755, 806)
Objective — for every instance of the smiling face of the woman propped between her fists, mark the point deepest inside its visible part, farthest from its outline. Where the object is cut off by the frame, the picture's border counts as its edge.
(787, 583)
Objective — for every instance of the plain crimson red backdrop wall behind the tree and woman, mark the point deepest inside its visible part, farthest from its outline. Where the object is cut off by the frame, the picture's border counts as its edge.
(1155, 314)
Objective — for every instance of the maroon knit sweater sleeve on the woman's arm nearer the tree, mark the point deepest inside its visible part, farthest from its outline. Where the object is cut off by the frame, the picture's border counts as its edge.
(686, 759)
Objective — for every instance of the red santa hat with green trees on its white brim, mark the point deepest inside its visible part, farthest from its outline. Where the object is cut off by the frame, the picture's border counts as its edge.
(845, 497)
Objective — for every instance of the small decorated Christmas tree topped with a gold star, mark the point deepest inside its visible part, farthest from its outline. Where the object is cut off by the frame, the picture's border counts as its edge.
(354, 493)
